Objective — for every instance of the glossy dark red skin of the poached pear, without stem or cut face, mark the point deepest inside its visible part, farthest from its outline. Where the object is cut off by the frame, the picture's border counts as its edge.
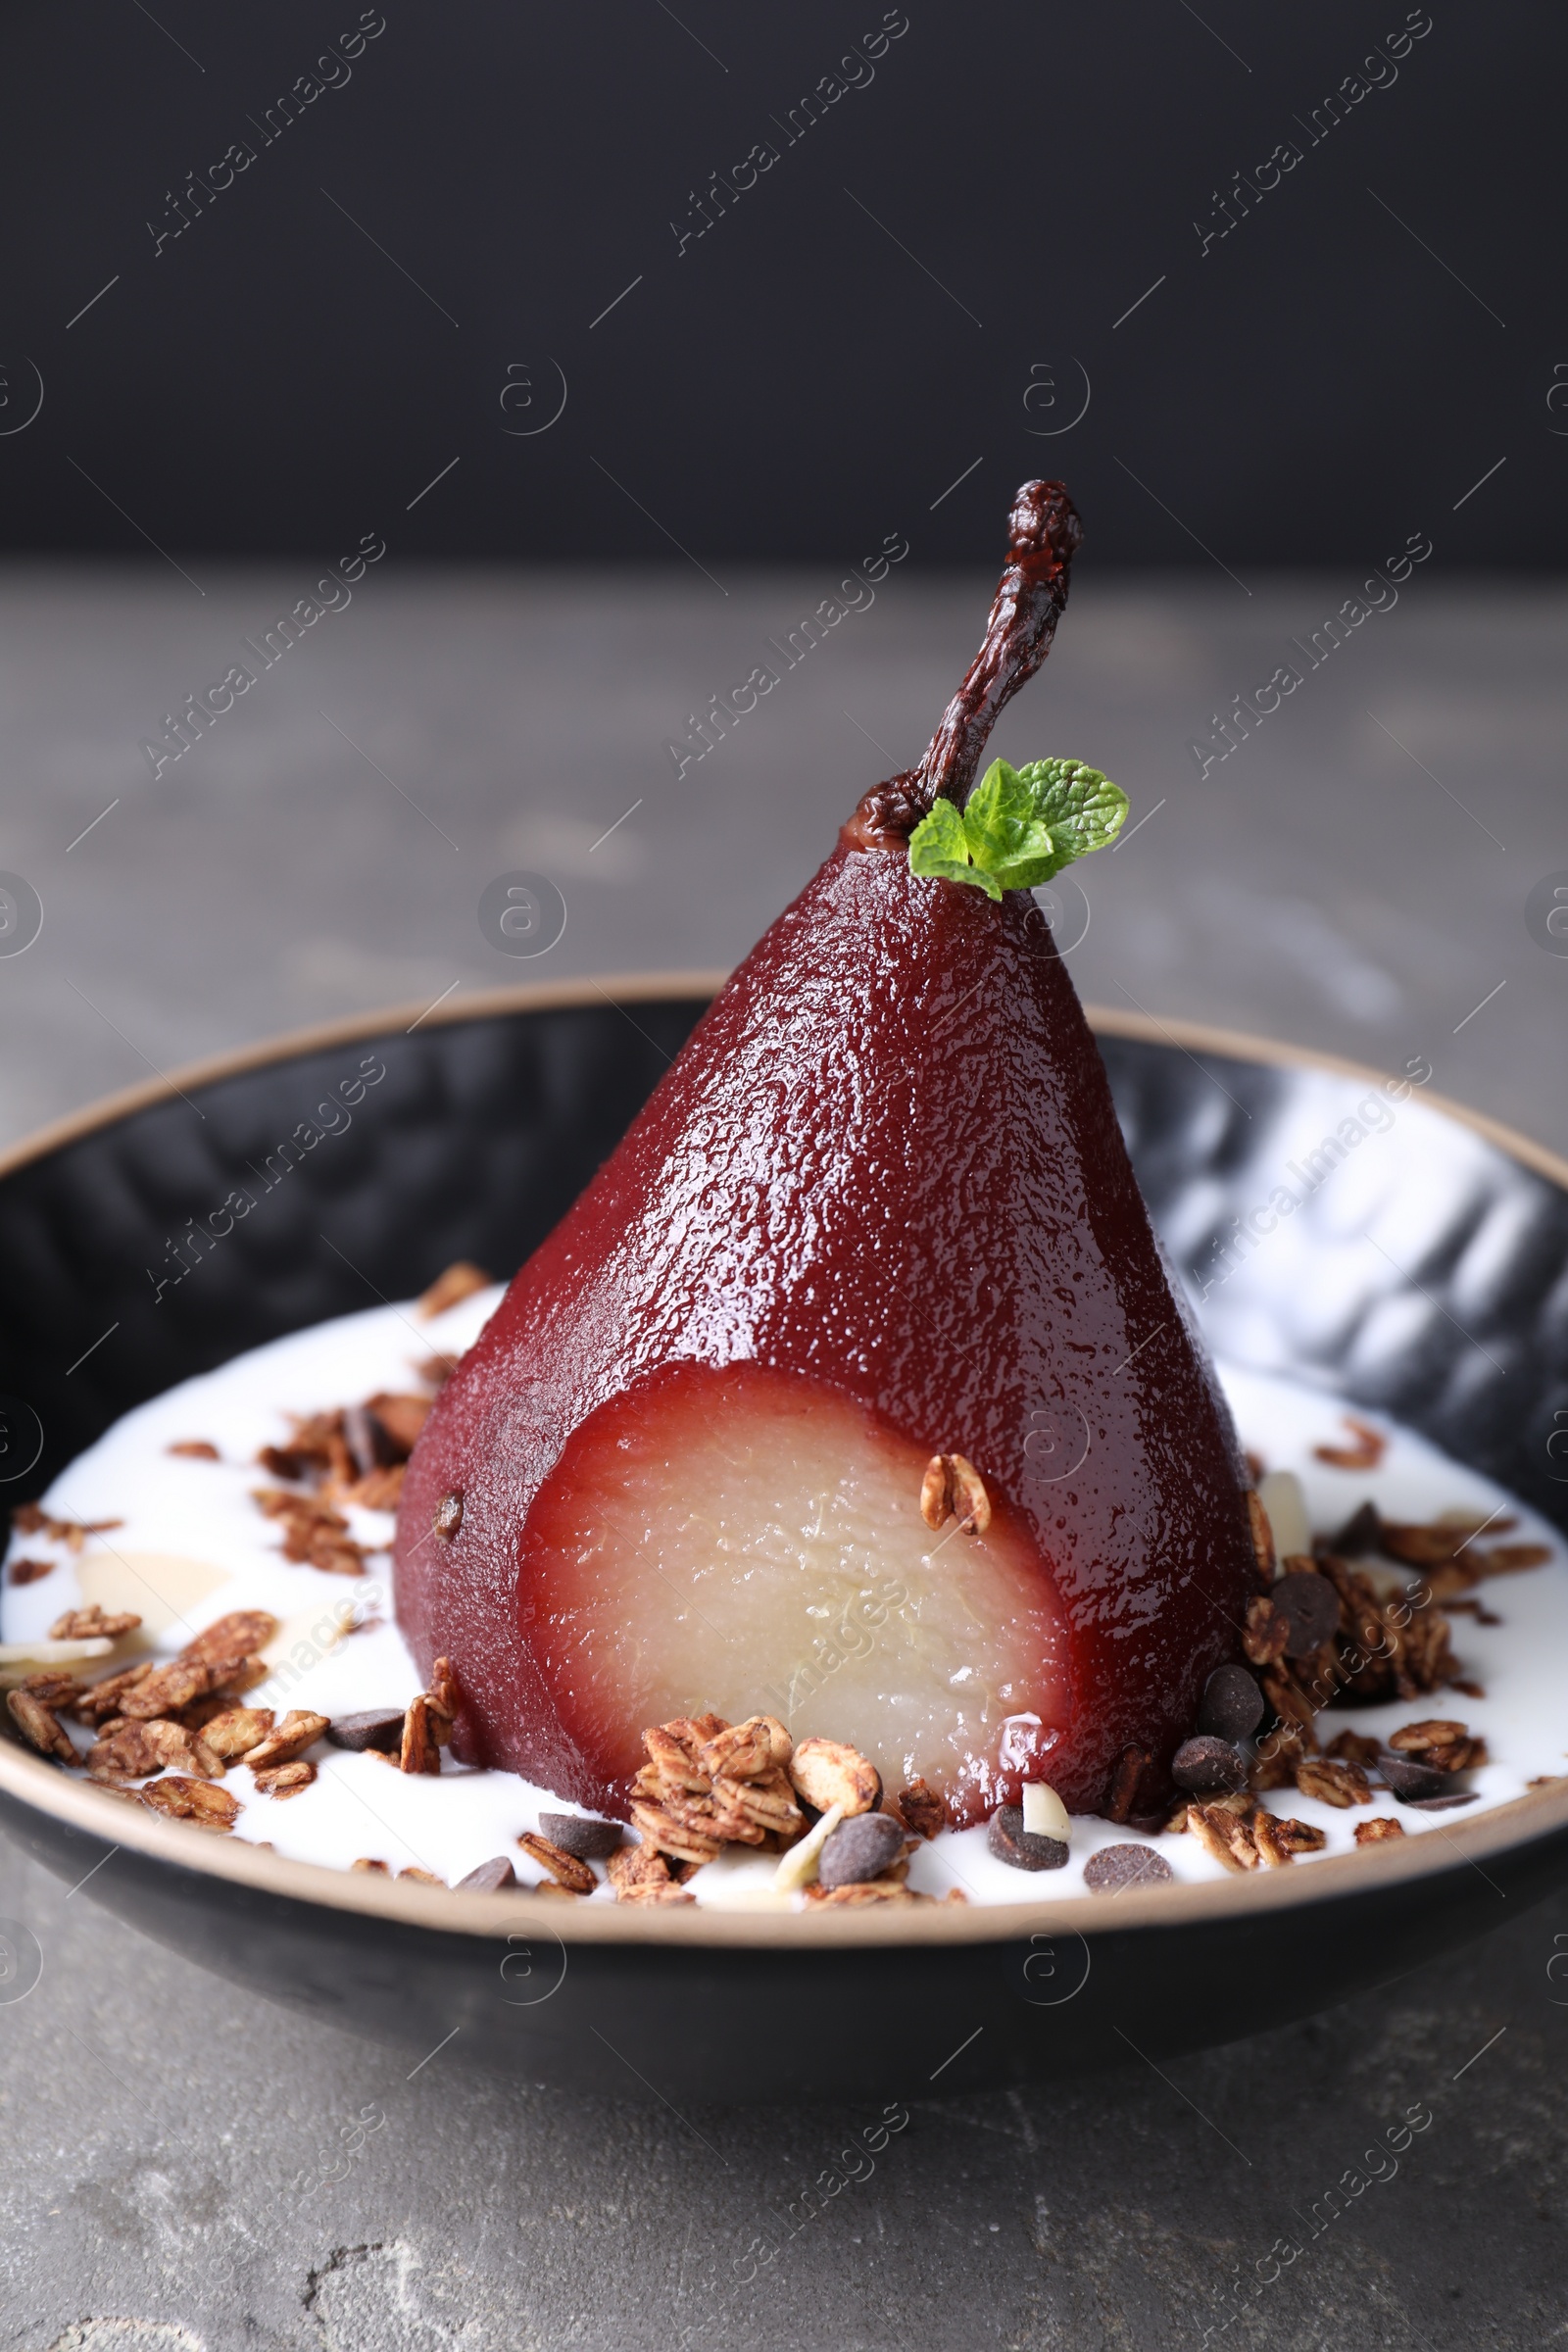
(890, 1161)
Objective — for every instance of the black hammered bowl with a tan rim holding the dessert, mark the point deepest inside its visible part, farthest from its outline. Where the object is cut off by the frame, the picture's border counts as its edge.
(485, 1128)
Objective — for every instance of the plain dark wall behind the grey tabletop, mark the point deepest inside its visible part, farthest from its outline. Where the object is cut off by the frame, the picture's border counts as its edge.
(847, 340)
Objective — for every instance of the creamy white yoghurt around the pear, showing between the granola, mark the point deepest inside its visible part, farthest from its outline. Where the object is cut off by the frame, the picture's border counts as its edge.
(196, 1546)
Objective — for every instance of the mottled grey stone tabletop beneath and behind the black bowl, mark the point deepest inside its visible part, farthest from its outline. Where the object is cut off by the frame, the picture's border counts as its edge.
(1351, 876)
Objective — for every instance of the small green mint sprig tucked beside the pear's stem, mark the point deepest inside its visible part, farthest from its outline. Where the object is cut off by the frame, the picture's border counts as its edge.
(1019, 827)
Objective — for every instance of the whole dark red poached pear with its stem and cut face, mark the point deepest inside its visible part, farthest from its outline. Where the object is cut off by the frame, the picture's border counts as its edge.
(876, 1212)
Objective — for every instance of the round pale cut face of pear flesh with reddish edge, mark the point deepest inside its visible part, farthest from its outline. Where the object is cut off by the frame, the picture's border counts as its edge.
(751, 1542)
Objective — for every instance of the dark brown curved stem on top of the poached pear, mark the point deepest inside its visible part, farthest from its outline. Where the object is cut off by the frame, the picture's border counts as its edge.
(1045, 535)
